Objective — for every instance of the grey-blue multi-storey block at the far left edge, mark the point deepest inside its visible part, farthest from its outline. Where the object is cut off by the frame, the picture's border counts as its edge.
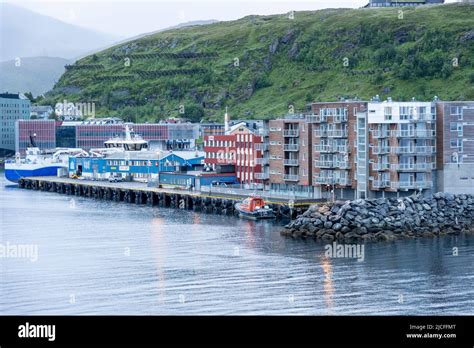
(13, 107)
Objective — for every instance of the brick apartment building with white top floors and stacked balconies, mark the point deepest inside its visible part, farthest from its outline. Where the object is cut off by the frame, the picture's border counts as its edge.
(402, 148)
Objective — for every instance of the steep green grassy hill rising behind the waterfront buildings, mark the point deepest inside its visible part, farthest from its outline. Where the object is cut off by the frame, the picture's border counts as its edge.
(260, 65)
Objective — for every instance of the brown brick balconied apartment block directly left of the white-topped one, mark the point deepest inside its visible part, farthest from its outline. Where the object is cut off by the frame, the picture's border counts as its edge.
(333, 150)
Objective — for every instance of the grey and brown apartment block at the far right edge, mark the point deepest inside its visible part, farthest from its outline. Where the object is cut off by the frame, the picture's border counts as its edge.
(455, 146)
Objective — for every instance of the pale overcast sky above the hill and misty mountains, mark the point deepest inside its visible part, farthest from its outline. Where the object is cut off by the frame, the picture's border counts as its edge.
(127, 18)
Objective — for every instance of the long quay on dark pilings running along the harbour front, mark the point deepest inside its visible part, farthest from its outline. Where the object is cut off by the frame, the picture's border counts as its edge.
(218, 202)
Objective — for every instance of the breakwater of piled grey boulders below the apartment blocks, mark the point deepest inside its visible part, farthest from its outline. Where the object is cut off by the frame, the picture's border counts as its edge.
(386, 219)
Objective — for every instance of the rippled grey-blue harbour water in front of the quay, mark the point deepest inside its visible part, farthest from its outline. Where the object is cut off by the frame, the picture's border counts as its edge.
(97, 257)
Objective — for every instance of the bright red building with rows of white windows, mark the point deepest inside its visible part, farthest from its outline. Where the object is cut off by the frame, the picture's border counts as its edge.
(242, 148)
